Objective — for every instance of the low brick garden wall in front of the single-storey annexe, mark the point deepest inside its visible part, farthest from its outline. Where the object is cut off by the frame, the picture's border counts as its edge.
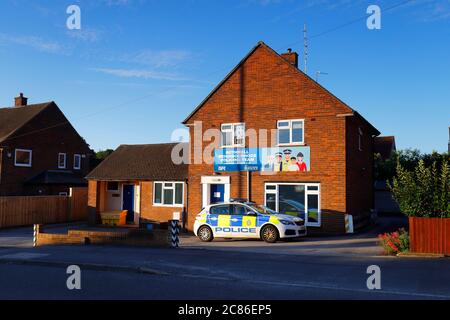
(127, 237)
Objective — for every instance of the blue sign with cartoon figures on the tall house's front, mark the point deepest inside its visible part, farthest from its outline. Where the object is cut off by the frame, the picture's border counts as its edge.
(277, 159)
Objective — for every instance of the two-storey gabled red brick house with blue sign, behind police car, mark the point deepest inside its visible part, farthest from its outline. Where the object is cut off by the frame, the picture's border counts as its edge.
(268, 91)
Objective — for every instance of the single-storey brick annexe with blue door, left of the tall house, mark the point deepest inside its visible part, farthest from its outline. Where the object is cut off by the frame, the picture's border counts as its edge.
(141, 179)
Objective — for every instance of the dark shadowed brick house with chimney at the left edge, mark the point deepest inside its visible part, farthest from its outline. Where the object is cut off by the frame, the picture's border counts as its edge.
(40, 151)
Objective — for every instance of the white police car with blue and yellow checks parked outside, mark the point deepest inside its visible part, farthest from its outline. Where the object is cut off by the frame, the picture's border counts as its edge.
(242, 219)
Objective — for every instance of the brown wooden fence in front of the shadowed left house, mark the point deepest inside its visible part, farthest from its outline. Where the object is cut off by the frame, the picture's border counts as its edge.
(23, 211)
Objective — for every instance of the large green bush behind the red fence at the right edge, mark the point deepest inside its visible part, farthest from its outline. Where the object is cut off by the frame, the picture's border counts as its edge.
(423, 191)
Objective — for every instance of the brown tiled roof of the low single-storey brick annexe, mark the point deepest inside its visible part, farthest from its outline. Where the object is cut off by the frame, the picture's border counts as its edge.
(149, 162)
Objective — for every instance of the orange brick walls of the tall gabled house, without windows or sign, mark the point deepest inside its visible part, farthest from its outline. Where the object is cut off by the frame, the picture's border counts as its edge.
(265, 89)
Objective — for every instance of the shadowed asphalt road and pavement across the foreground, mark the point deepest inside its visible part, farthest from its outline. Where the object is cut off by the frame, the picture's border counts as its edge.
(312, 268)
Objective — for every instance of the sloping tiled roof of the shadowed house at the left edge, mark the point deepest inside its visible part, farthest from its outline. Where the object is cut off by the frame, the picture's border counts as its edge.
(13, 118)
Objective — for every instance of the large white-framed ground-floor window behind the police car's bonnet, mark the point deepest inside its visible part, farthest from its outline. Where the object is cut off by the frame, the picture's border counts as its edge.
(296, 199)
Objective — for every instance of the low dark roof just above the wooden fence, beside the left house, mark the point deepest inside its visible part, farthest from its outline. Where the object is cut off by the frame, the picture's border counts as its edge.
(57, 177)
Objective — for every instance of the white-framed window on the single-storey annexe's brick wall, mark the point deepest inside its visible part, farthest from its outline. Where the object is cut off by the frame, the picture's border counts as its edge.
(168, 194)
